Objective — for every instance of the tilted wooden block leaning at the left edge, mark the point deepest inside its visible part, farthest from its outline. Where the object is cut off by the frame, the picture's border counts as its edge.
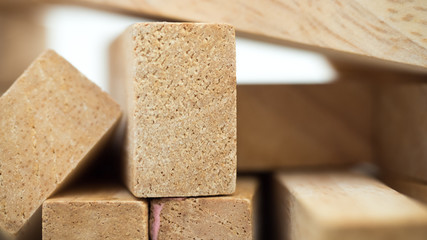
(52, 120)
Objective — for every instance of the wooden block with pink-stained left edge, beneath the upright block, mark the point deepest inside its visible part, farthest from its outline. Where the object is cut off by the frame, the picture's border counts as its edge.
(225, 217)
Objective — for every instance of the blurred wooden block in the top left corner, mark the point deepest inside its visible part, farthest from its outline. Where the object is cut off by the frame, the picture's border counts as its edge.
(22, 38)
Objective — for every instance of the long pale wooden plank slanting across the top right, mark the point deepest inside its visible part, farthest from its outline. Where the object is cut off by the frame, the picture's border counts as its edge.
(394, 31)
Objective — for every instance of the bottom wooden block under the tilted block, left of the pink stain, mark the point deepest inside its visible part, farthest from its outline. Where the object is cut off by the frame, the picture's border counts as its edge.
(95, 212)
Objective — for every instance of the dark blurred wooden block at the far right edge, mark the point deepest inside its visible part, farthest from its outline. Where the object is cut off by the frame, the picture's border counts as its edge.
(402, 129)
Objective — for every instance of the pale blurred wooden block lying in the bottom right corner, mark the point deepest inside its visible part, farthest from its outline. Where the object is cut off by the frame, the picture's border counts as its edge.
(345, 206)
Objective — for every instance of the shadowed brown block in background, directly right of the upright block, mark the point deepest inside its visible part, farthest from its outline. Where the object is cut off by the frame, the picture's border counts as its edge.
(283, 126)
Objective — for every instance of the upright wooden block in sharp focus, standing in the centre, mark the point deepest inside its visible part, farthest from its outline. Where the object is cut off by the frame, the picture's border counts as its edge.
(177, 84)
